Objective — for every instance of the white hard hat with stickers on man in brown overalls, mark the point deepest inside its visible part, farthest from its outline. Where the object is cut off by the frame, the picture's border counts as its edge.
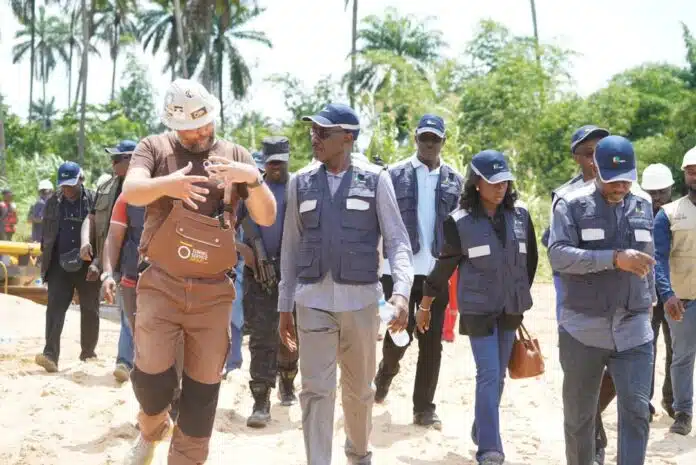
(188, 105)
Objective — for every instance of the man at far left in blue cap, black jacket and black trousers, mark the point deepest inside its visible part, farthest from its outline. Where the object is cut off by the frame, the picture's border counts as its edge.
(63, 270)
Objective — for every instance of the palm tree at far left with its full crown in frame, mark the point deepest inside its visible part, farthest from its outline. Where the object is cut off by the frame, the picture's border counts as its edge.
(49, 48)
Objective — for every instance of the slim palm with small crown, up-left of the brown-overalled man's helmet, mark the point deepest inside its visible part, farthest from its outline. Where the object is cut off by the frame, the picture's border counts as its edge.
(116, 26)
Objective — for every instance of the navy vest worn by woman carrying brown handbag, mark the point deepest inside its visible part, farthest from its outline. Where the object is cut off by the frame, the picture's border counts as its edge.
(493, 275)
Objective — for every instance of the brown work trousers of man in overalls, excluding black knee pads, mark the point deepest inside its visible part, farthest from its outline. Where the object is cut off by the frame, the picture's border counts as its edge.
(168, 308)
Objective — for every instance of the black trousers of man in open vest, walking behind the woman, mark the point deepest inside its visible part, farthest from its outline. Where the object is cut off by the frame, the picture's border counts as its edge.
(429, 345)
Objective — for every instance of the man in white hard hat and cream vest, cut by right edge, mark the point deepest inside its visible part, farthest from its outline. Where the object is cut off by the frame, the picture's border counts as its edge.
(675, 252)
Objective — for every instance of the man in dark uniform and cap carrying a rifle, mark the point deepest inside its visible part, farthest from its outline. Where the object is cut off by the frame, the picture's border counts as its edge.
(269, 358)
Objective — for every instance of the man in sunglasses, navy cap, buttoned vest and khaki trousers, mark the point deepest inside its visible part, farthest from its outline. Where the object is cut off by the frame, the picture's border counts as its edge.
(337, 210)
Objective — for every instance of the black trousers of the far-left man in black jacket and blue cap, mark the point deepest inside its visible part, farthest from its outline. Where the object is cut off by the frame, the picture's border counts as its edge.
(61, 288)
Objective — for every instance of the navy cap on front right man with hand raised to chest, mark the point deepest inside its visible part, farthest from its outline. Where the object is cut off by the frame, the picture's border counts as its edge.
(615, 160)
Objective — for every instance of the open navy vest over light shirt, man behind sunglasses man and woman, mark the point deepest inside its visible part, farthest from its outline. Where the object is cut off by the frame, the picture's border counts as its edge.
(447, 194)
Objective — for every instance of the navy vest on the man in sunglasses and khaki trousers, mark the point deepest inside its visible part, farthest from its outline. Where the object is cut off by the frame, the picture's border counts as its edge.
(339, 234)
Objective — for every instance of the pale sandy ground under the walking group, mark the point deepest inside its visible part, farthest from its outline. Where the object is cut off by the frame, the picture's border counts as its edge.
(80, 415)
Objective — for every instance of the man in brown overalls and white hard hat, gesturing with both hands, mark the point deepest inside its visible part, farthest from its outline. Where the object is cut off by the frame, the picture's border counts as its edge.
(190, 183)
